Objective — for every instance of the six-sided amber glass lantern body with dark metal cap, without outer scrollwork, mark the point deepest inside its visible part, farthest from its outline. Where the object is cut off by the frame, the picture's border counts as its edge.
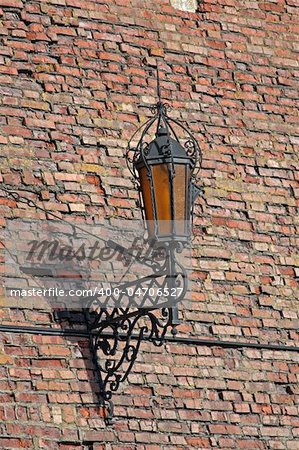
(165, 182)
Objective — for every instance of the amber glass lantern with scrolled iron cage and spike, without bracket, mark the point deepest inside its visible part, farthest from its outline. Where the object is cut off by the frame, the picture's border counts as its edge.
(164, 170)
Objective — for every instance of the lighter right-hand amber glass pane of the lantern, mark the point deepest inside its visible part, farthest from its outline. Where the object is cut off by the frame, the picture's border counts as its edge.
(179, 198)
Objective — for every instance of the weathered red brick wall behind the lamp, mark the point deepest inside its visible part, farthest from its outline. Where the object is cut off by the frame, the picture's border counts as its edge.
(75, 79)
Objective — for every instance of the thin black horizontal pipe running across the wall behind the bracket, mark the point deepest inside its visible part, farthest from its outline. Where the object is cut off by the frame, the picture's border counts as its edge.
(177, 340)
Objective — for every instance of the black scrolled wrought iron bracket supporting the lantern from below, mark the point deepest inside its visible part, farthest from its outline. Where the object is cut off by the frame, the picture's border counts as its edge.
(116, 333)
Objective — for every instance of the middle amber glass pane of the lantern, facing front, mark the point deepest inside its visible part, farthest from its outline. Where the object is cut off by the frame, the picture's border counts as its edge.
(162, 194)
